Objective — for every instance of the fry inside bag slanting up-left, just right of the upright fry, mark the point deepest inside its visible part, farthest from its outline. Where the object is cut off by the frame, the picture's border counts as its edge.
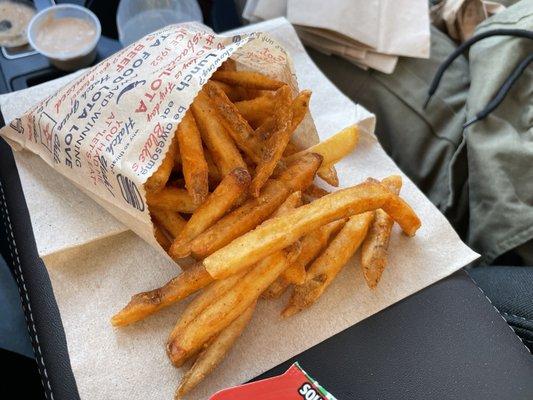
(221, 146)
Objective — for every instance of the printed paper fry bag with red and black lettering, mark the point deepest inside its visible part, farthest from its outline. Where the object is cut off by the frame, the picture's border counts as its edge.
(109, 129)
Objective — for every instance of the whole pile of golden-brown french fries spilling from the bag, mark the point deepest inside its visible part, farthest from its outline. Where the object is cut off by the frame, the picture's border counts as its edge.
(236, 194)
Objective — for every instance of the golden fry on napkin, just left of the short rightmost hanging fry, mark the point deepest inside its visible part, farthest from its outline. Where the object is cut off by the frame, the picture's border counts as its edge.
(326, 267)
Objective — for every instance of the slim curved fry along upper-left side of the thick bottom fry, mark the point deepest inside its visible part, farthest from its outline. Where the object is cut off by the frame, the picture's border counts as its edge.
(208, 296)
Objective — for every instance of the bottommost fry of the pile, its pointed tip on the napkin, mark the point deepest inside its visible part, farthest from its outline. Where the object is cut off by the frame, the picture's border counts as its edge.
(214, 354)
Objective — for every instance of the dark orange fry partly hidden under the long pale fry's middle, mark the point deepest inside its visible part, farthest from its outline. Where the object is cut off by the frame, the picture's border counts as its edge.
(312, 244)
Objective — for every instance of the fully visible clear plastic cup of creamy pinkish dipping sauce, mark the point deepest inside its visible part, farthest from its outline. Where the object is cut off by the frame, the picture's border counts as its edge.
(72, 59)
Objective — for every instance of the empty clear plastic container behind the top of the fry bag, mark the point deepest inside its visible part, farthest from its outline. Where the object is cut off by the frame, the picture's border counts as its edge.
(137, 18)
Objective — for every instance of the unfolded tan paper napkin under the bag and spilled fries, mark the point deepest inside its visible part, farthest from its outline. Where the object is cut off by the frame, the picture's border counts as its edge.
(92, 278)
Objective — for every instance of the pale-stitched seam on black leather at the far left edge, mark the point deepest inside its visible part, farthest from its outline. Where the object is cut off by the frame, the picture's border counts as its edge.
(24, 298)
